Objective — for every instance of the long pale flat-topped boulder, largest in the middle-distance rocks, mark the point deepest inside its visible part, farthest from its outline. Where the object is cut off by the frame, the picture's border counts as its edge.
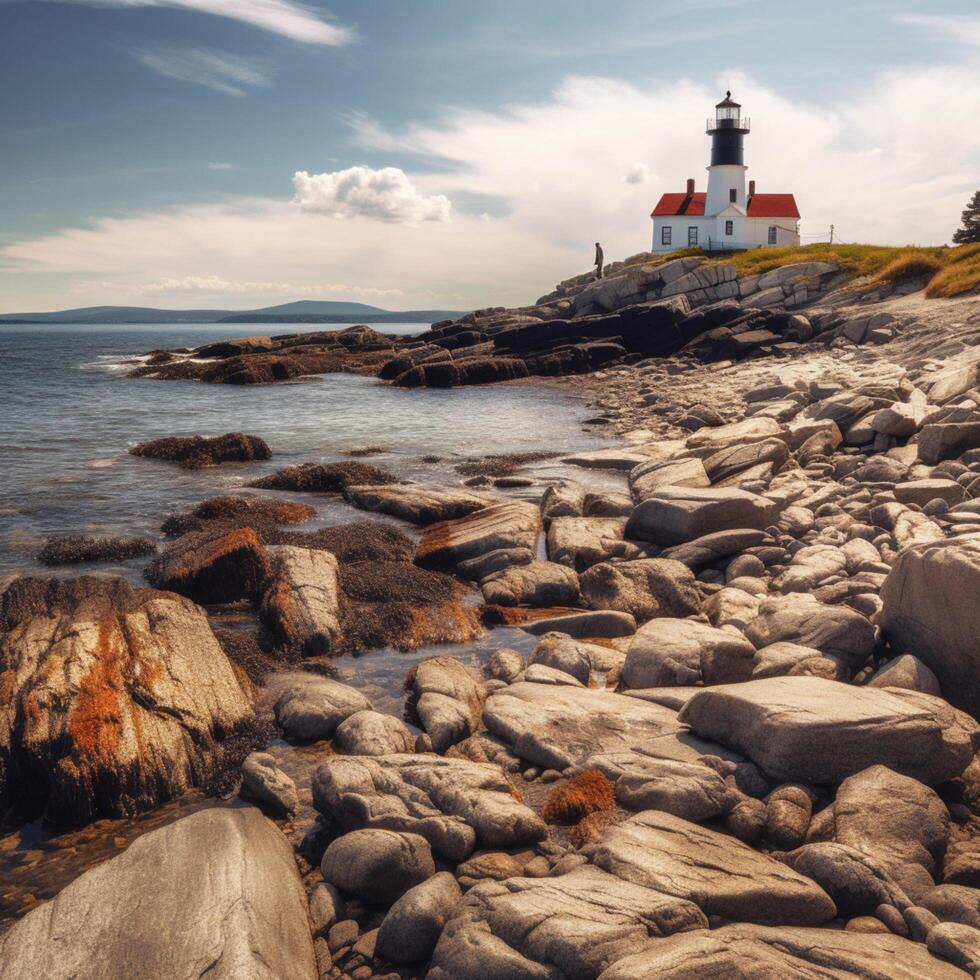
(677, 514)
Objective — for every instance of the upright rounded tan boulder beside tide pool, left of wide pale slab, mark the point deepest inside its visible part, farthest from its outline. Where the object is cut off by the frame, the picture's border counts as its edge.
(448, 699)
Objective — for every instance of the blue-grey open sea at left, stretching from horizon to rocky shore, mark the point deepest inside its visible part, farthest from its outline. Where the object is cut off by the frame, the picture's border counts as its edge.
(68, 415)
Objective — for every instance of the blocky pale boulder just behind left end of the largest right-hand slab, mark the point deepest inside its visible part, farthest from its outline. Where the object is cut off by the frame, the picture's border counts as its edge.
(670, 652)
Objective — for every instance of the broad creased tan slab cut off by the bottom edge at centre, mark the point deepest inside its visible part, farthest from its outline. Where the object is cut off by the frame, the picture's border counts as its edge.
(574, 925)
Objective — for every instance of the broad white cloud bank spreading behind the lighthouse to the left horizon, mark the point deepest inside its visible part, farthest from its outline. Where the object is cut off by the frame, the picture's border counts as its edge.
(878, 161)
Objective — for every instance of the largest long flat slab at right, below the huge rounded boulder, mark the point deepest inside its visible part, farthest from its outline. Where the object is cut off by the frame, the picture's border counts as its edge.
(820, 731)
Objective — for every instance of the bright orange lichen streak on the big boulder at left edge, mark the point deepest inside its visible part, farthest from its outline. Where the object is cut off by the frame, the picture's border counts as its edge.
(94, 723)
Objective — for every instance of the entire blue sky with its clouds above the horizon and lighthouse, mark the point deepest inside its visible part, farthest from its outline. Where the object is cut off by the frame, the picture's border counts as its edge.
(243, 152)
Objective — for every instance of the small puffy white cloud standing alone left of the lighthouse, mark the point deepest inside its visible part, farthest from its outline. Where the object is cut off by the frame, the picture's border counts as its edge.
(383, 195)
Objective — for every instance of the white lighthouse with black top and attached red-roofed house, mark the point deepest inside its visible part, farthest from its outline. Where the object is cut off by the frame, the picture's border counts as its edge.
(725, 217)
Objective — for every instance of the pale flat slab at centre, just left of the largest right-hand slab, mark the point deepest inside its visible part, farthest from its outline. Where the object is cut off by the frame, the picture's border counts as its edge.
(557, 727)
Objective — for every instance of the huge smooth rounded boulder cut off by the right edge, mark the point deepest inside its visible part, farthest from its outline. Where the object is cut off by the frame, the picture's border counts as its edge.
(930, 611)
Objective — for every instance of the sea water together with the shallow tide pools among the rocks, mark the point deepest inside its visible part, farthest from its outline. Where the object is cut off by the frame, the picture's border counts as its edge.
(68, 415)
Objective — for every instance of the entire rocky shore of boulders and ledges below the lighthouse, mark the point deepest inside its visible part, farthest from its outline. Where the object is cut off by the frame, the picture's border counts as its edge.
(739, 740)
